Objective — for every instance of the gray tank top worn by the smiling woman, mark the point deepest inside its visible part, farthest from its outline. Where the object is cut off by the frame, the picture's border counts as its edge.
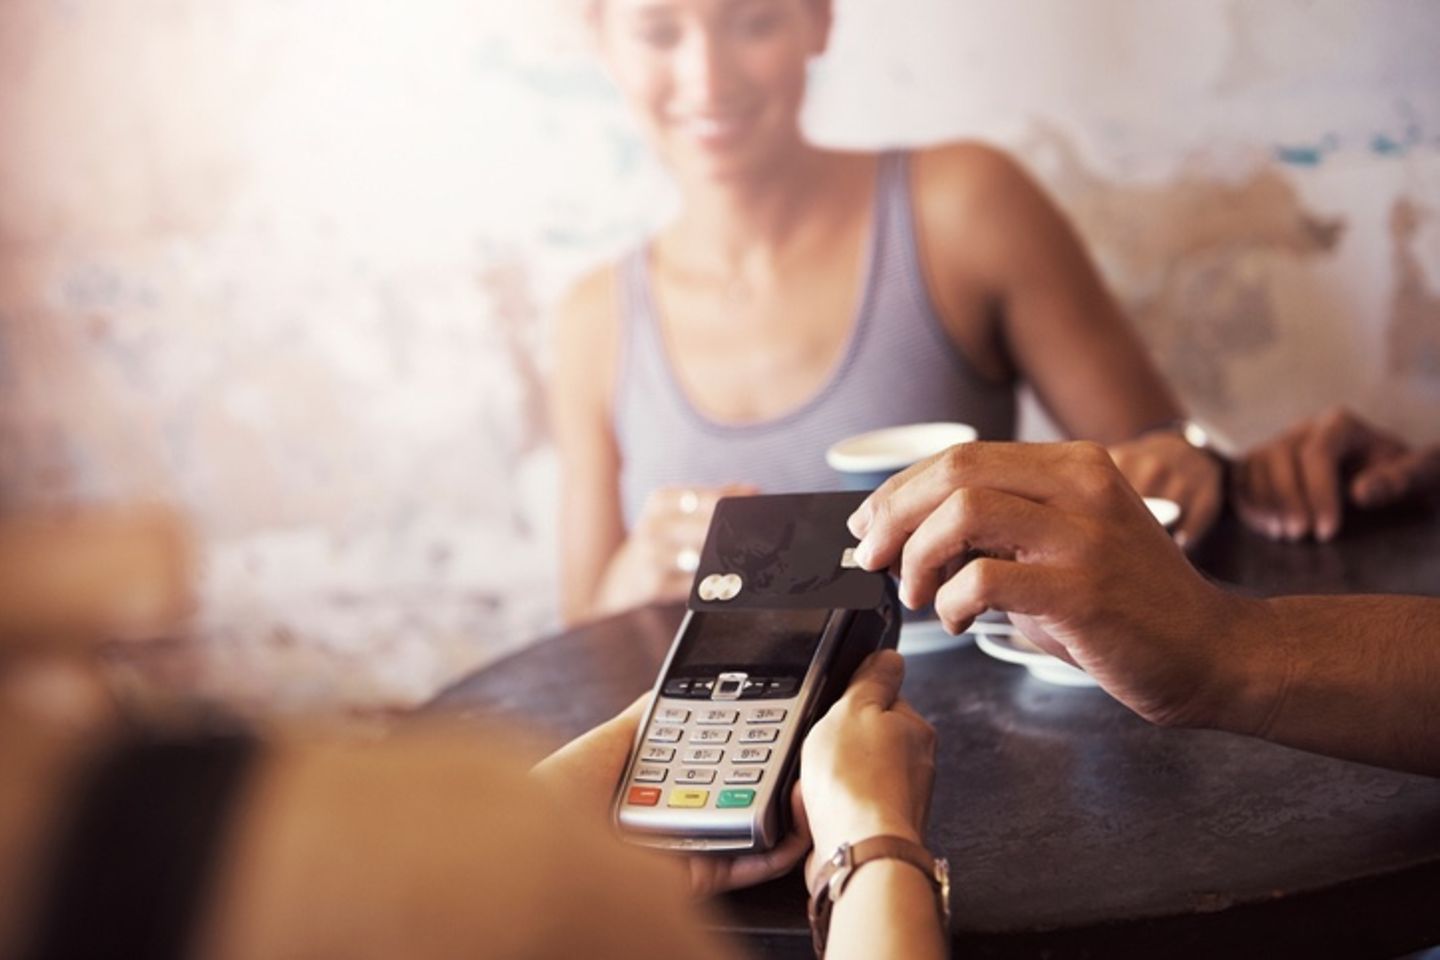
(901, 368)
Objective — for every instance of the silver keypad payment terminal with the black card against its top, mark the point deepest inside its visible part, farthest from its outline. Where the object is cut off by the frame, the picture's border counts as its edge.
(778, 621)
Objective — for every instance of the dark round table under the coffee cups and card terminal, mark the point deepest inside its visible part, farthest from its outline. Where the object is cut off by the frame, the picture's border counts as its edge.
(1076, 830)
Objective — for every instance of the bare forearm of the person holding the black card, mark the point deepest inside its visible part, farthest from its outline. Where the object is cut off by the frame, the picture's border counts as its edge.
(1354, 677)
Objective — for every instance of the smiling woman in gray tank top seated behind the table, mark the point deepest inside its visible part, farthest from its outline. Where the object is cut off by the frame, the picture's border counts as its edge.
(807, 294)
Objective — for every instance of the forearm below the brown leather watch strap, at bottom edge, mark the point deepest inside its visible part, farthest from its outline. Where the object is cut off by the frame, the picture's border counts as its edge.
(888, 910)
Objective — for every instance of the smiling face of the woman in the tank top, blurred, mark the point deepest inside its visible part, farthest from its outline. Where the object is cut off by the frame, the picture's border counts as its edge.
(716, 83)
